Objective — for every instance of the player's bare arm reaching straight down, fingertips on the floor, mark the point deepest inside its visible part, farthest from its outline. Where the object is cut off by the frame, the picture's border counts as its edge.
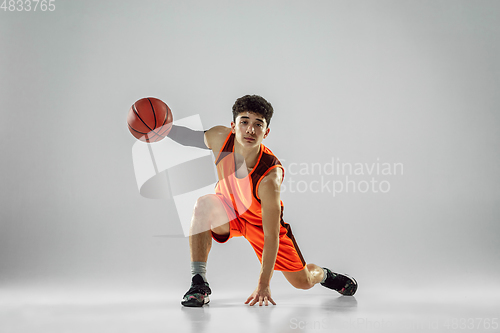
(269, 193)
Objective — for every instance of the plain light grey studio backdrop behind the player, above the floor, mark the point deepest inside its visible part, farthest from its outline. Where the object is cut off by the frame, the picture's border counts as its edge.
(408, 82)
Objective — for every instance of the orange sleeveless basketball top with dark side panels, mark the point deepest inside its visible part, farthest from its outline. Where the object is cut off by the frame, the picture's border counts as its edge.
(243, 192)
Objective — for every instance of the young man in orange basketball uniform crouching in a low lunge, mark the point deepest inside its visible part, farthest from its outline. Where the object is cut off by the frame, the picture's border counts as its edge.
(247, 203)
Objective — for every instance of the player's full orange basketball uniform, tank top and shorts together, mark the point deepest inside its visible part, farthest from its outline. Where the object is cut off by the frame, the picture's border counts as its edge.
(243, 206)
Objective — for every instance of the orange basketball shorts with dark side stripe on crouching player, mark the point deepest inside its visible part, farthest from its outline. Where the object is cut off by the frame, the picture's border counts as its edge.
(288, 259)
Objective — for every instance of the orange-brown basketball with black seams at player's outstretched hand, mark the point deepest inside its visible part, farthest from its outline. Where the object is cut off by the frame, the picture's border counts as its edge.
(149, 119)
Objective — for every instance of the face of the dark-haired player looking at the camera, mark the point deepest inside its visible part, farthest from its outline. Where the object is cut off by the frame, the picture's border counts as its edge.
(250, 129)
